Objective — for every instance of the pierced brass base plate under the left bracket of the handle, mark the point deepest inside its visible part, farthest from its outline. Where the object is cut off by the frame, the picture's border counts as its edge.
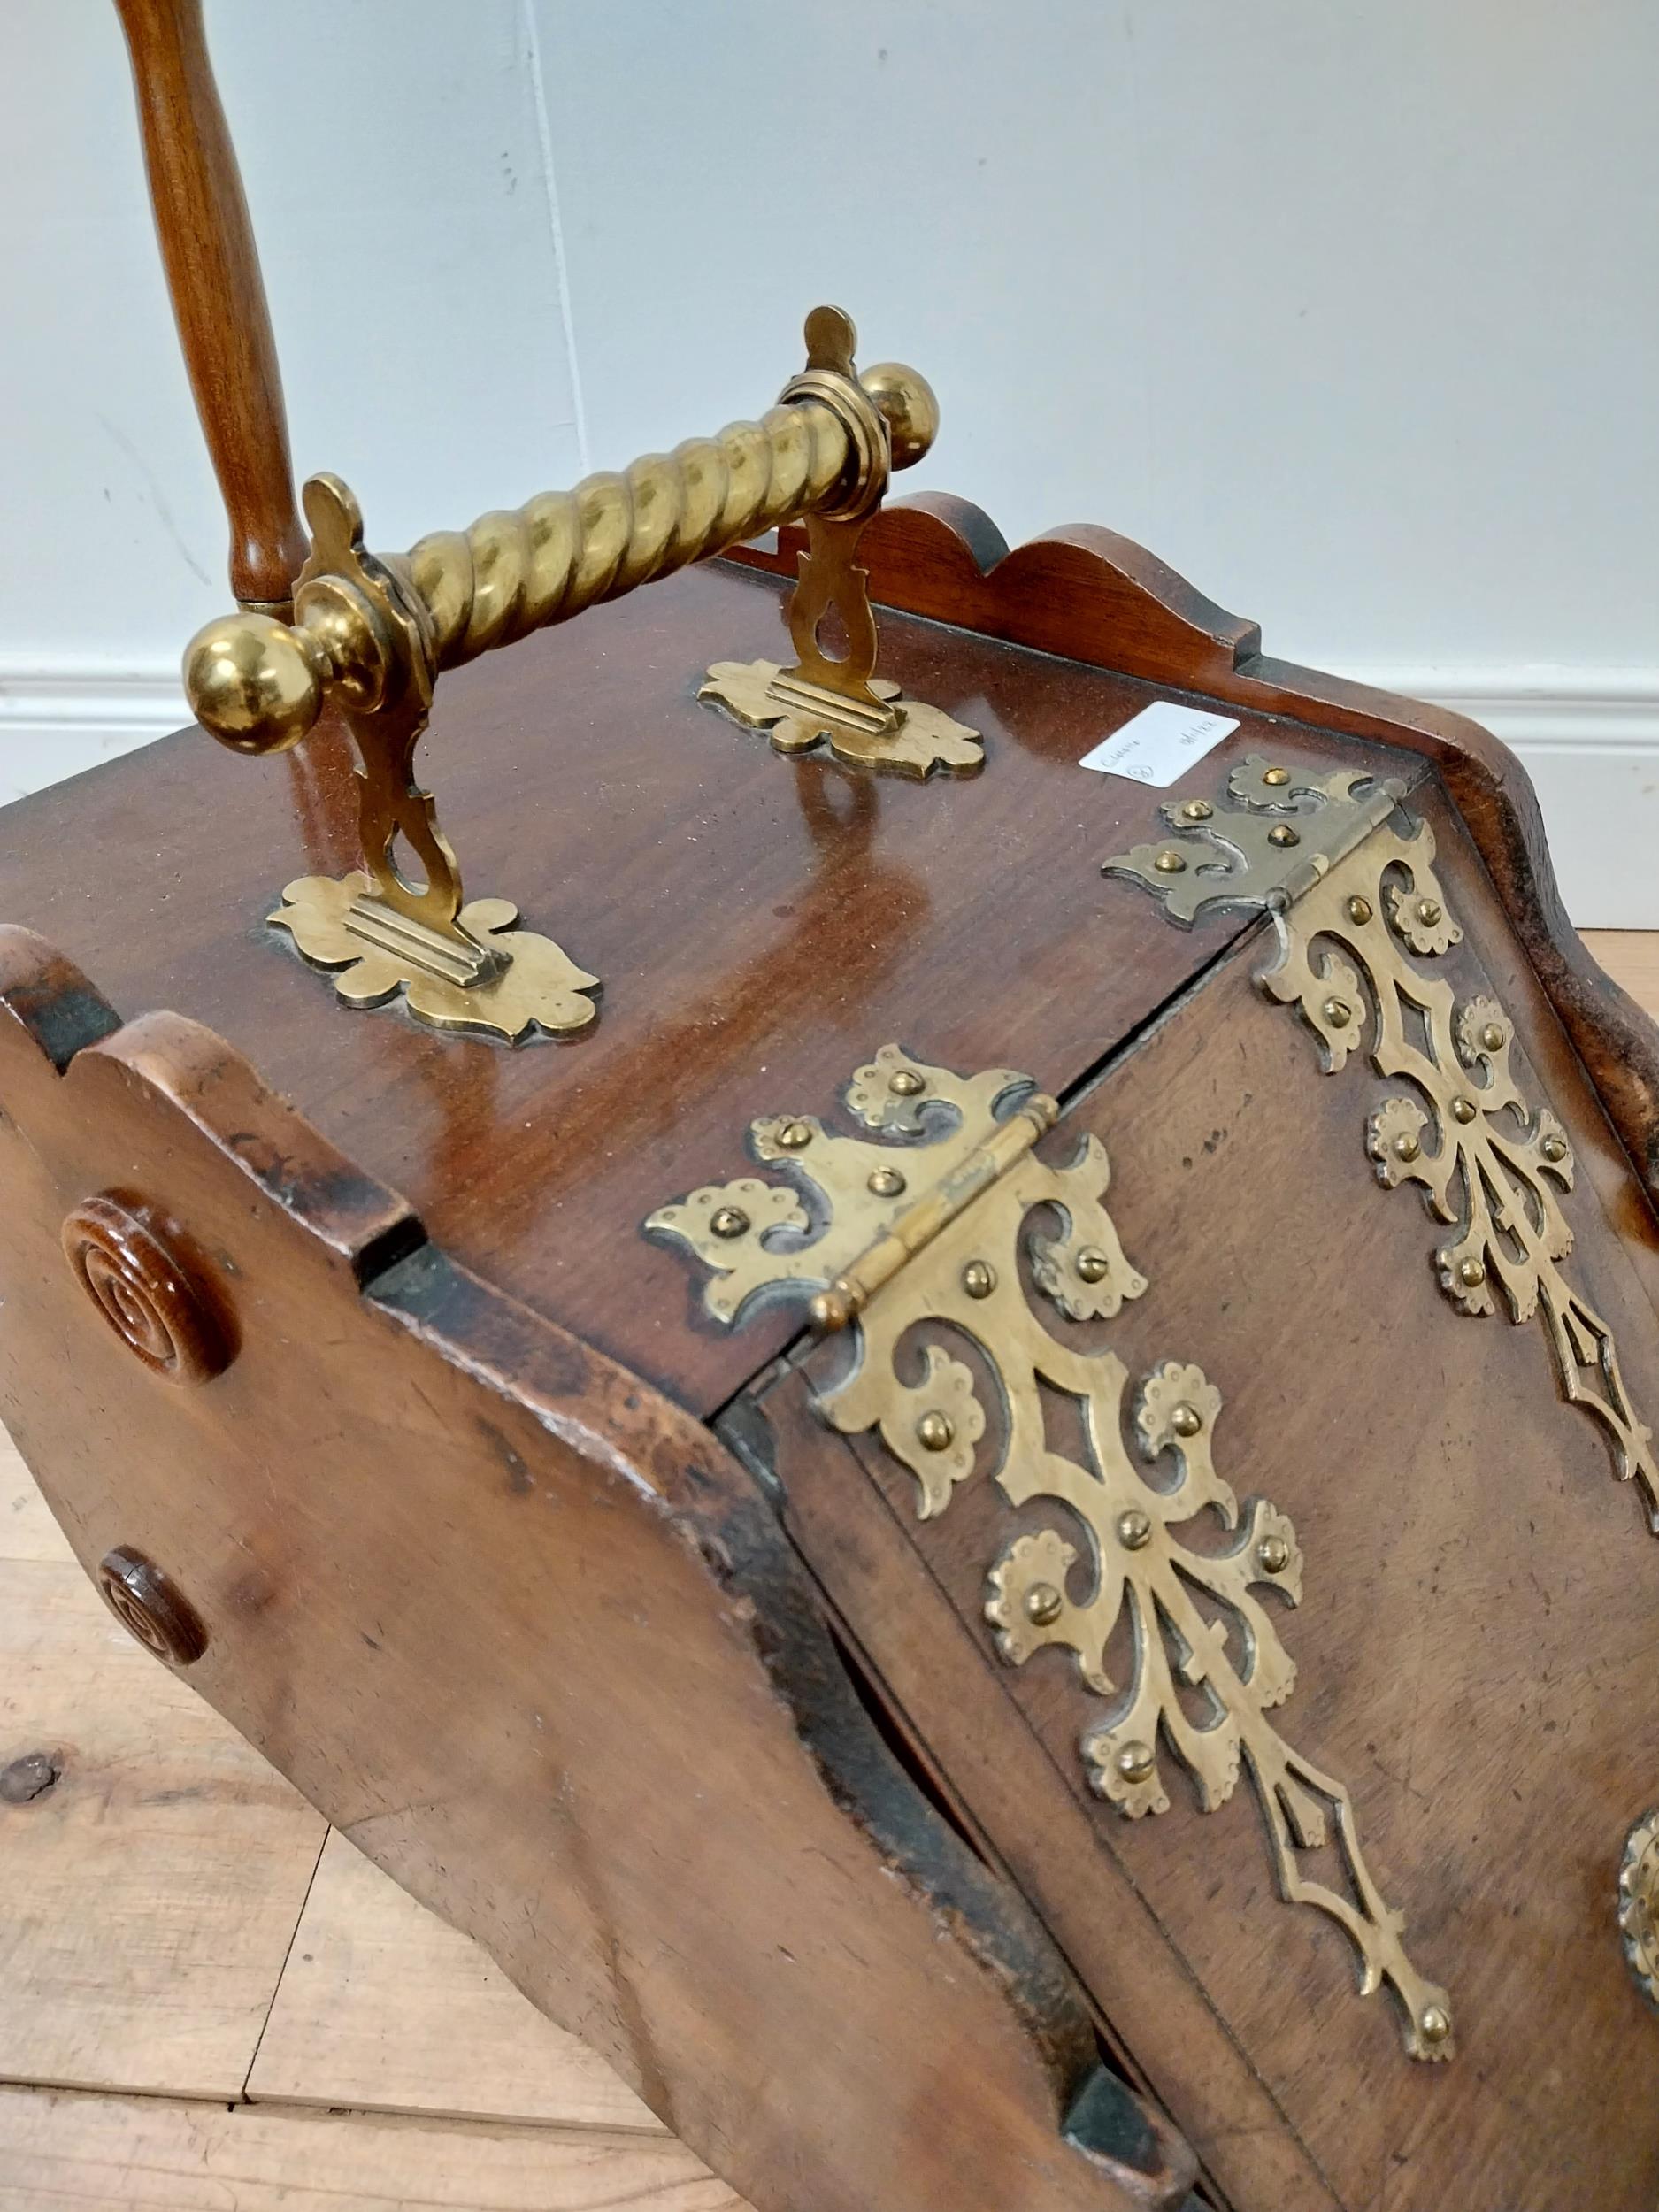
(510, 988)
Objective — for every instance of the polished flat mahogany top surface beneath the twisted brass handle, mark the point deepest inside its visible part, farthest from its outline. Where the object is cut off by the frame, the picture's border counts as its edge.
(760, 926)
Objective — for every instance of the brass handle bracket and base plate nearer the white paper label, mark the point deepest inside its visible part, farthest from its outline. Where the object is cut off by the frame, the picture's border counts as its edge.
(839, 702)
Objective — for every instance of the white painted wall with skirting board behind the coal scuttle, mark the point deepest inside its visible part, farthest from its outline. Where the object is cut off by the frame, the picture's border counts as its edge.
(1344, 309)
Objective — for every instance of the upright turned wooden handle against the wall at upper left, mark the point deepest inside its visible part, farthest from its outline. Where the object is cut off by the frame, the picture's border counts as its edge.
(218, 293)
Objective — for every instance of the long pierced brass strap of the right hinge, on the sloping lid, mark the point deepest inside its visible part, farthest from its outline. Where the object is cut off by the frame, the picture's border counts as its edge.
(1485, 1160)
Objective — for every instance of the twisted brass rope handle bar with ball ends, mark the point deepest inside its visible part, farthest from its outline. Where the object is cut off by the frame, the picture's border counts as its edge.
(260, 685)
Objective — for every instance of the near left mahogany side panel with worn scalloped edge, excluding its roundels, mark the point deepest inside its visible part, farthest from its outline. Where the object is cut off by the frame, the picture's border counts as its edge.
(536, 1645)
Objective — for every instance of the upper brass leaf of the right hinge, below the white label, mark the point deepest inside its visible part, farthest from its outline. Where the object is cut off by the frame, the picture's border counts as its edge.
(1284, 833)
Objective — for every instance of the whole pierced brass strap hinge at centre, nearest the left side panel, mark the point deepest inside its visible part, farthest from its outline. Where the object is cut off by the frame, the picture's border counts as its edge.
(957, 1269)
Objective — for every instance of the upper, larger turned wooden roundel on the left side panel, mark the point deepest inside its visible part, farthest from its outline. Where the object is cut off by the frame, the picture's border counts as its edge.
(145, 1291)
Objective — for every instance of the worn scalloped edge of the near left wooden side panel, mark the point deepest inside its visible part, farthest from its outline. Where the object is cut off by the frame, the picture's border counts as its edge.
(662, 1459)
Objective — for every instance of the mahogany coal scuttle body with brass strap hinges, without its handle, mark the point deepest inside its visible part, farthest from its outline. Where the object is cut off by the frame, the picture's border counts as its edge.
(979, 1757)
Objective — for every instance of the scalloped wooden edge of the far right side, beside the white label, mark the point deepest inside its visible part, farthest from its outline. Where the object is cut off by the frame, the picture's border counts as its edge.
(1105, 601)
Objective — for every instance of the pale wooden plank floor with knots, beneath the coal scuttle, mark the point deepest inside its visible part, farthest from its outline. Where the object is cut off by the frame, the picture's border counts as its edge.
(211, 2001)
